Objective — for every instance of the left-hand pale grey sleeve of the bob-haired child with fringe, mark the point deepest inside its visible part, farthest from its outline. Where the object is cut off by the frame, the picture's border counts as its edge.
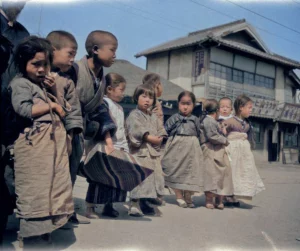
(136, 128)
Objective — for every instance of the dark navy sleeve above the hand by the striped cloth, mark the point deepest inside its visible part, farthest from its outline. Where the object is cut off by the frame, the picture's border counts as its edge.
(101, 115)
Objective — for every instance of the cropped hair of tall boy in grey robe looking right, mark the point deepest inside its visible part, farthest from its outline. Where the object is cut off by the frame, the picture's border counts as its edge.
(98, 38)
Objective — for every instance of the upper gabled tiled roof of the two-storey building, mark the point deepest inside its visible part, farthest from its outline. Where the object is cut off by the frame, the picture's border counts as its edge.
(217, 34)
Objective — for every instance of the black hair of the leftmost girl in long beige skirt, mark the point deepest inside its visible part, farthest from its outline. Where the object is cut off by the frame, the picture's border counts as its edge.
(27, 49)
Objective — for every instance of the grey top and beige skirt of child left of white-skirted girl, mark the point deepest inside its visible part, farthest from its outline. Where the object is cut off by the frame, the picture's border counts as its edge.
(217, 174)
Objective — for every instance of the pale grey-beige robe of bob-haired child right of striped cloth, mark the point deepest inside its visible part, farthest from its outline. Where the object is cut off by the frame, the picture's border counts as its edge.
(139, 124)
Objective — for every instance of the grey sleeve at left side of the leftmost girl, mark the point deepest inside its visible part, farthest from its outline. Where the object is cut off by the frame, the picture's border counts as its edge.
(21, 98)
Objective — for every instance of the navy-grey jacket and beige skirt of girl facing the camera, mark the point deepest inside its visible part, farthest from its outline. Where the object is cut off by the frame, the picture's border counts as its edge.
(182, 162)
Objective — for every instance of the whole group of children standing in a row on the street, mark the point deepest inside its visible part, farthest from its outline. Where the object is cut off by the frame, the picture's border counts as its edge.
(70, 106)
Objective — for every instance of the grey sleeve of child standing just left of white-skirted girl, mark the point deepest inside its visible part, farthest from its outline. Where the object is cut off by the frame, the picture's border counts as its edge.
(212, 133)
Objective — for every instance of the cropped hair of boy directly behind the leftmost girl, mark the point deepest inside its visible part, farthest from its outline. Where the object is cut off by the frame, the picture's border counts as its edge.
(60, 39)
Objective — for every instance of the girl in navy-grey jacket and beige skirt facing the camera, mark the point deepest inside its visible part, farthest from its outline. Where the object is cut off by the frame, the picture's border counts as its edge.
(183, 159)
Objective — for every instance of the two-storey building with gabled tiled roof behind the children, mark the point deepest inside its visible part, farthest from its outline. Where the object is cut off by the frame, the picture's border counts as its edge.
(231, 59)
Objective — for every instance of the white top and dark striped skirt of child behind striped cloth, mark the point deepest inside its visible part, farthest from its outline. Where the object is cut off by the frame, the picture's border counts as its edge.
(99, 193)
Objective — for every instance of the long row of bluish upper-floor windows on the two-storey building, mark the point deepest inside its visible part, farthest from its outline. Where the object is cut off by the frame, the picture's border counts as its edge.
(242, 77)
